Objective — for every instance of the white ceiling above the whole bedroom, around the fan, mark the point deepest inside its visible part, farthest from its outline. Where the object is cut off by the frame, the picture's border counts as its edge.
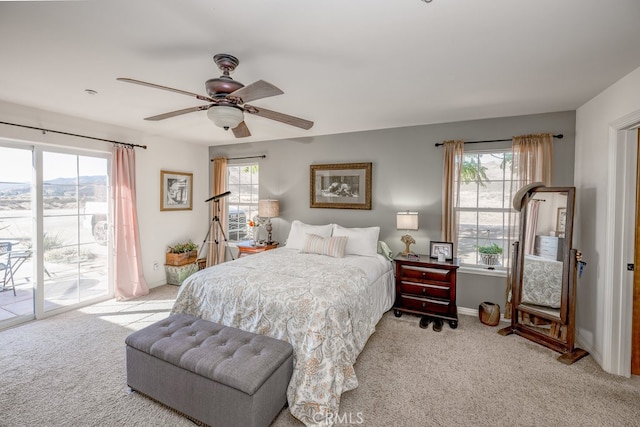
(346, 65)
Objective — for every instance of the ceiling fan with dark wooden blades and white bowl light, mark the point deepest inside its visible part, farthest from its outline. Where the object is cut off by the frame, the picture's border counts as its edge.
(227, 99)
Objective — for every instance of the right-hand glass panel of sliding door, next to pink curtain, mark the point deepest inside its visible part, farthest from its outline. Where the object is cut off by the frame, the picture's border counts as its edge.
(75, 230)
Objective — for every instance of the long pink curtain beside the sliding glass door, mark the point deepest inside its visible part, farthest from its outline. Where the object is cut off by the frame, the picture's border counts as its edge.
(129, 279)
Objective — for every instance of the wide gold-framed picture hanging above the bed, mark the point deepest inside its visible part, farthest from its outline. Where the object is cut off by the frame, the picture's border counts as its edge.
(341, 186)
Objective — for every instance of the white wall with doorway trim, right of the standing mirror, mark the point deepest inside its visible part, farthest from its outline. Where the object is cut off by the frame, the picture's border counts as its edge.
(604, 178)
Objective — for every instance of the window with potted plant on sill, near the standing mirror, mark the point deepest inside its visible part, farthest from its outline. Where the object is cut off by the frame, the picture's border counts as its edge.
(485, 207)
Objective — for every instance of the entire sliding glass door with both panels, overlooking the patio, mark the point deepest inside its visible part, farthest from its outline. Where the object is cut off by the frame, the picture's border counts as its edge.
(54, 217)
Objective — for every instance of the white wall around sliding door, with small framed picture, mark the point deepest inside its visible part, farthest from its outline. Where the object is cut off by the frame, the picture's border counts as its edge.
(157, 229)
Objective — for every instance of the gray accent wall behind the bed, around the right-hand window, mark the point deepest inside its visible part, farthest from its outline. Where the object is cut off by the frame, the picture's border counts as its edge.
(407, 175)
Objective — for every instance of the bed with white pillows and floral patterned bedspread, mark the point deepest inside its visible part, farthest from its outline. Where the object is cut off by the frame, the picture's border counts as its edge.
(326, 306)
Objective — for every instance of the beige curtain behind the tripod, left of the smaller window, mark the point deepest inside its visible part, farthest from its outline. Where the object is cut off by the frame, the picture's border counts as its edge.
(216, 251)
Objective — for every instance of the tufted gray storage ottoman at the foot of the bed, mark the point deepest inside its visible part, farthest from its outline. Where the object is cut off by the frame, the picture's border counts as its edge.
(214, 374)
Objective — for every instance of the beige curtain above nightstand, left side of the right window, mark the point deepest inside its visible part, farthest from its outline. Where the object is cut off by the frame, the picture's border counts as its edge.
(453, 157)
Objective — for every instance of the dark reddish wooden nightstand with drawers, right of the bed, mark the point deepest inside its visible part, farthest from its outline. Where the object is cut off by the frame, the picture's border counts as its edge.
(426, 287)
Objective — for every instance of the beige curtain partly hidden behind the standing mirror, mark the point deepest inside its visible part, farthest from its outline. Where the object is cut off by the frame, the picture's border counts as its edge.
(532, 159)
